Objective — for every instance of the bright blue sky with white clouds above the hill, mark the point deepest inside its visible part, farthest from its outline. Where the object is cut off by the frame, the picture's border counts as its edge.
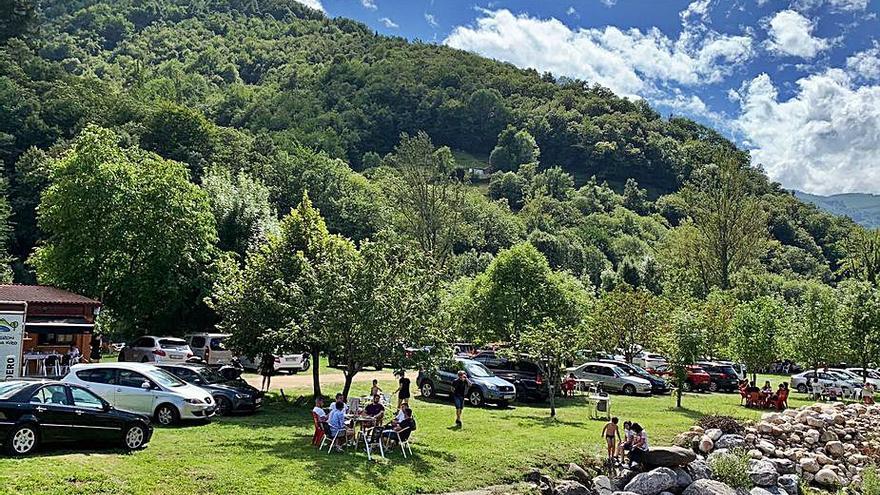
(796, 82)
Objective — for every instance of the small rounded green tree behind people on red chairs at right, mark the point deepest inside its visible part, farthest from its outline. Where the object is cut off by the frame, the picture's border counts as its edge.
(758, 328)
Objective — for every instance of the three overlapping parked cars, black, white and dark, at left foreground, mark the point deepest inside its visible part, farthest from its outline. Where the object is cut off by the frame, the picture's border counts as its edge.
(116, 402)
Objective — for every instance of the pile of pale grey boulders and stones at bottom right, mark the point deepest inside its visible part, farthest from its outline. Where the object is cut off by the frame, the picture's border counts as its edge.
(824, 445)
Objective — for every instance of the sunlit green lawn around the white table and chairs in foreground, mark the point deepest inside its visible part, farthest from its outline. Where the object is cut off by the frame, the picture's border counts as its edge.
(271, 453)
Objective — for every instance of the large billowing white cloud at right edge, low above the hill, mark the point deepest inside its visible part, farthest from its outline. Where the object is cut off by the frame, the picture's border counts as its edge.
(822, 140)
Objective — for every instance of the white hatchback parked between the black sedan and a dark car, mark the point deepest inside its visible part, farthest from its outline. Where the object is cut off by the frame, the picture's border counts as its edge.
(144, 389)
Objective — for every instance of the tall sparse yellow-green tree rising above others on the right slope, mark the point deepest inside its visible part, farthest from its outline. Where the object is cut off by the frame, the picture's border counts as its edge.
(731, 227)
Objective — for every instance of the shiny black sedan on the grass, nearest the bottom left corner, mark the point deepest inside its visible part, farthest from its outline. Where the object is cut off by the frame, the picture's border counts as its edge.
(37, 412)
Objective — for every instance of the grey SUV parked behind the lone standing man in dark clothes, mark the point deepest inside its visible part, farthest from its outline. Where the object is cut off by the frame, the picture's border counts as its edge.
(485, 388)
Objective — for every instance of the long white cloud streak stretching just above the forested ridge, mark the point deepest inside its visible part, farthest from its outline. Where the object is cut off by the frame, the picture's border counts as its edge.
(629, 62)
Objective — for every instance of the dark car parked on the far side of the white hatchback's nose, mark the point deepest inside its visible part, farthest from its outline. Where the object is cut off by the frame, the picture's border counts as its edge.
(231, 396)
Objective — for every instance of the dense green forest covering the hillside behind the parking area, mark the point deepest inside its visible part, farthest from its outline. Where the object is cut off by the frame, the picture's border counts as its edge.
(161, 155)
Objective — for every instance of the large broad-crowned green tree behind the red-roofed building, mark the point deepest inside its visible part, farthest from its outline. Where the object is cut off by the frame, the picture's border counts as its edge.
(126, 227)
